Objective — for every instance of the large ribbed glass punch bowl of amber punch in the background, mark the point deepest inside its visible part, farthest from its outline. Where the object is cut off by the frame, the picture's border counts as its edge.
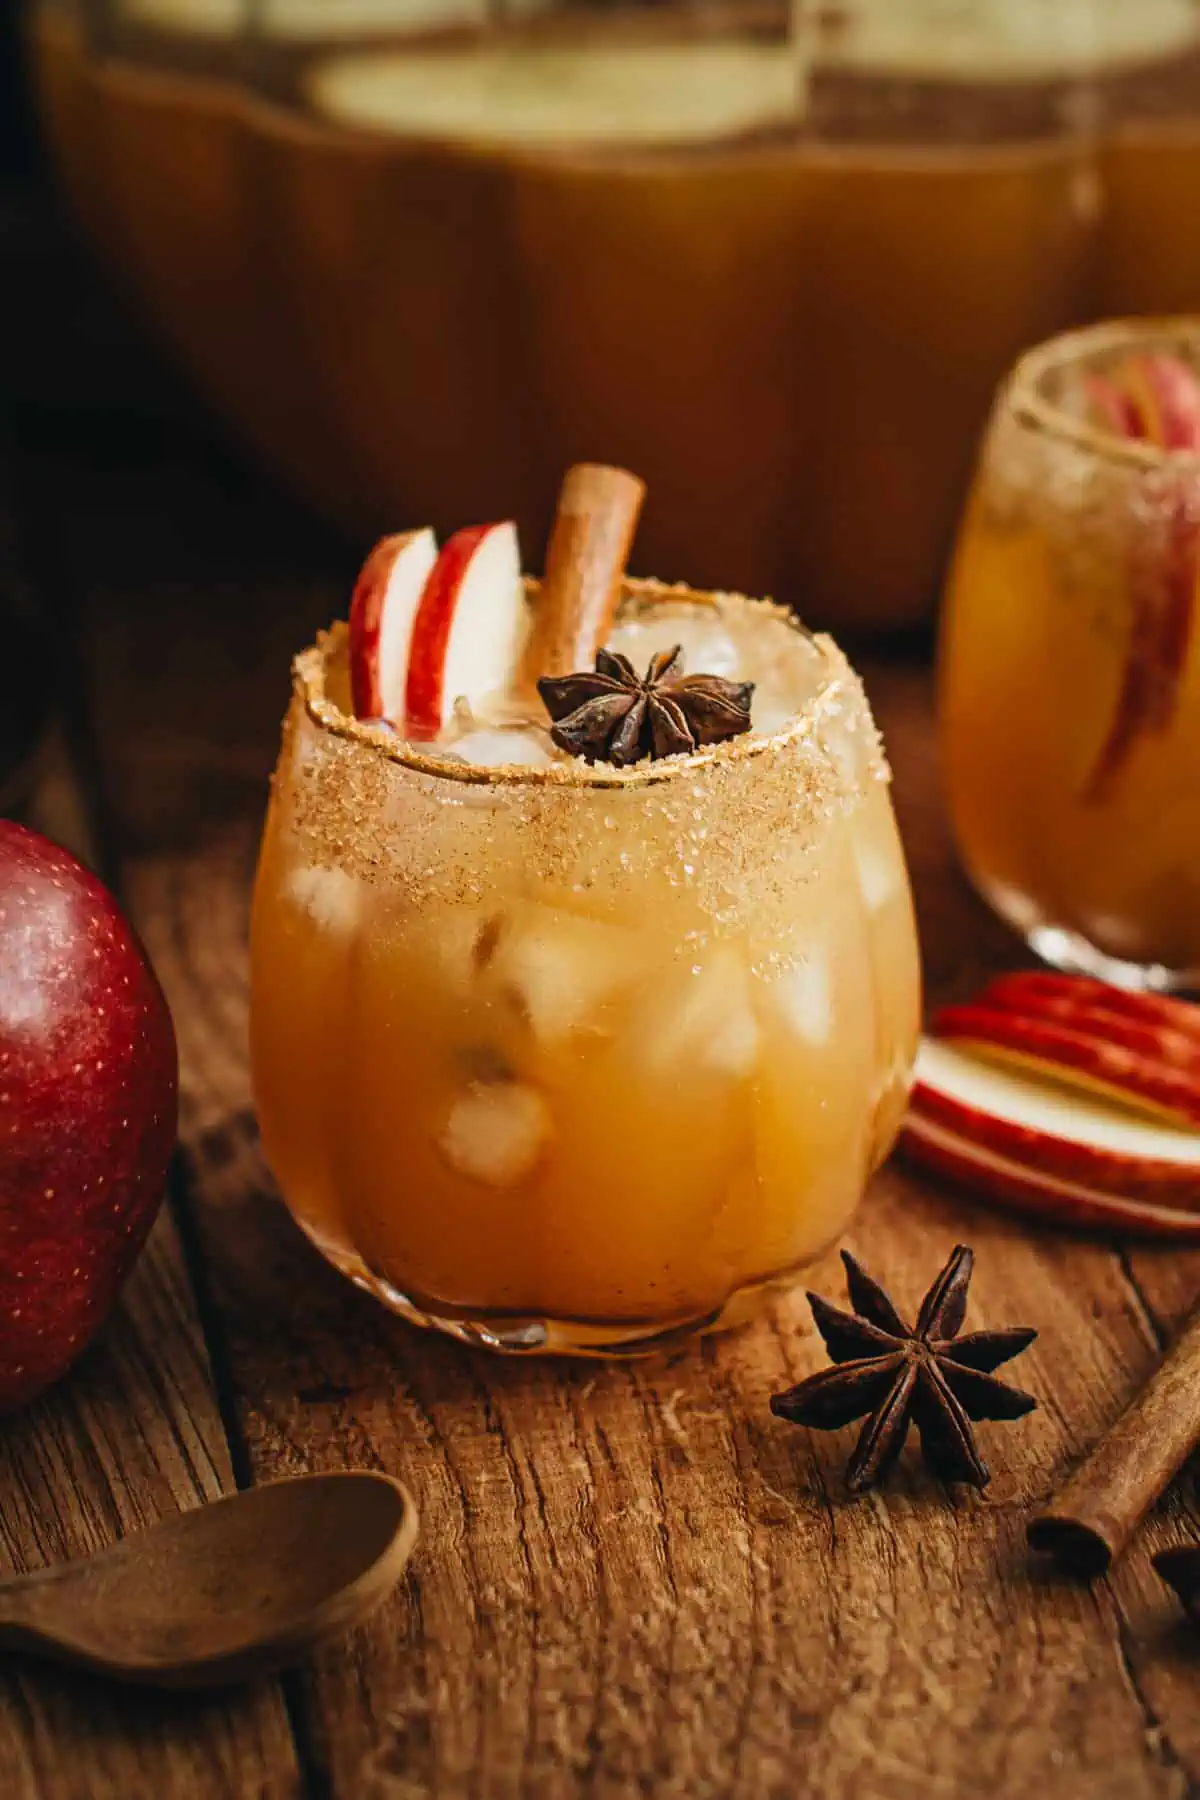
(424, 265)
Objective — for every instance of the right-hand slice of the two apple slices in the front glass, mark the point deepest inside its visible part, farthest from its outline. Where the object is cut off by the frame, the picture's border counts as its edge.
(469, 629)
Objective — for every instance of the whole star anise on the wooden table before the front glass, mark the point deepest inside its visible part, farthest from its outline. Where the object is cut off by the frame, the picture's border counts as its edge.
(900, 1376)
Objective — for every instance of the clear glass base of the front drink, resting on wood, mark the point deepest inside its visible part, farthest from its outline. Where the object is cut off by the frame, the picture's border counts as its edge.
(523, 1335)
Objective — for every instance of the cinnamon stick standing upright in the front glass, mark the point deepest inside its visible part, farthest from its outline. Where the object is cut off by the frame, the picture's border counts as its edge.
(598, 512)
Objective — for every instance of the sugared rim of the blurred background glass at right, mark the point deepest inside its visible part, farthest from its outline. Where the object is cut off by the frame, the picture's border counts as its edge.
(1026, 400)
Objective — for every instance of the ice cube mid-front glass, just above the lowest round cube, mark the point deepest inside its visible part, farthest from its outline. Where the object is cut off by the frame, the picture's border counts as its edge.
(562, 969)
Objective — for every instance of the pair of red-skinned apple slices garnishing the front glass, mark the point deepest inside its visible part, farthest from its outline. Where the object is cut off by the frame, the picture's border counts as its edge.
(433, 627)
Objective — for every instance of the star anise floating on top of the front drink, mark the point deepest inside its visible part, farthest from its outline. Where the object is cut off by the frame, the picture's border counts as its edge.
(613, 715)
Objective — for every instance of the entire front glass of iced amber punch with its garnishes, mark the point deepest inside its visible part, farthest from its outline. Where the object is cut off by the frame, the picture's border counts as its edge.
(584, 976)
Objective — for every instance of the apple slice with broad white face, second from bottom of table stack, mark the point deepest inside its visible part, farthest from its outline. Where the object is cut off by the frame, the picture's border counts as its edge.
(1057, 1133)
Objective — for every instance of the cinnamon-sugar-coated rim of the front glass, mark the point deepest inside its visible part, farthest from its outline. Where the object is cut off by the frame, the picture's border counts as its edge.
(309, 685)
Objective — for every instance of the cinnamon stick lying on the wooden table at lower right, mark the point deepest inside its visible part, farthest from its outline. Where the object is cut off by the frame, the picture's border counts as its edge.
(1107, 1498)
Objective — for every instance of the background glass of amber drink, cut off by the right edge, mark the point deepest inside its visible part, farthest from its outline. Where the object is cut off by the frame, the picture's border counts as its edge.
(1071, 656)
